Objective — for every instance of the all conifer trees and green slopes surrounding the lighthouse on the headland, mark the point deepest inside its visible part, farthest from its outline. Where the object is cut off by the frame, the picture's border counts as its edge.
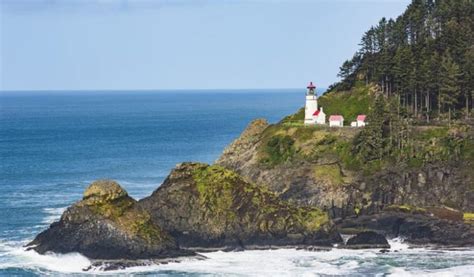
(413, 77)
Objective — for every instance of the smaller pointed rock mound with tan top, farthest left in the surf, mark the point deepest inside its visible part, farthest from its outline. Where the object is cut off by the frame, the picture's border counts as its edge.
(107, 224)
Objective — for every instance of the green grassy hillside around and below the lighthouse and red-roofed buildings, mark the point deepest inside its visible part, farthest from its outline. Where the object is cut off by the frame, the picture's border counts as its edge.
(290, 140)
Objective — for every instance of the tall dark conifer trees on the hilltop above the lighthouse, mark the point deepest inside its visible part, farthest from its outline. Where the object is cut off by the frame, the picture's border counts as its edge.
(424, 59)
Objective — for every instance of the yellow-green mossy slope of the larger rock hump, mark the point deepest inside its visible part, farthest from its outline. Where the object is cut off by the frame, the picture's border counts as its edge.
(228, 200)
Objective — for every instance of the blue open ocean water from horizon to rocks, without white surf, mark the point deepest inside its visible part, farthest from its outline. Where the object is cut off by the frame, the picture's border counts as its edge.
(53, 144)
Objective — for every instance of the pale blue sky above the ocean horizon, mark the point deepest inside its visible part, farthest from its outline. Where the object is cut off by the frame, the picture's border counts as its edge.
(177, 44)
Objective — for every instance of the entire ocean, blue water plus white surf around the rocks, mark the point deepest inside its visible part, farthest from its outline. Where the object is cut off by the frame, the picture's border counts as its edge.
(53, 144)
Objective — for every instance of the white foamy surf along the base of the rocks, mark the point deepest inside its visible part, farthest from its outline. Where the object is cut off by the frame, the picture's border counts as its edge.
(282, 262)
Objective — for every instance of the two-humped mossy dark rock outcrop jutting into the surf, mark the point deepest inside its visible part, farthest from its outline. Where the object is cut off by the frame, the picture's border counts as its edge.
(198, 206)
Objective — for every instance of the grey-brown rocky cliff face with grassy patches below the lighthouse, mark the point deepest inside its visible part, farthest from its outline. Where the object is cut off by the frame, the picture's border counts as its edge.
(312, 166)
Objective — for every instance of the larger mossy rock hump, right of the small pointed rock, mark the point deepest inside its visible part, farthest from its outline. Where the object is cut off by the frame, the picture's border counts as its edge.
(207, 207)
